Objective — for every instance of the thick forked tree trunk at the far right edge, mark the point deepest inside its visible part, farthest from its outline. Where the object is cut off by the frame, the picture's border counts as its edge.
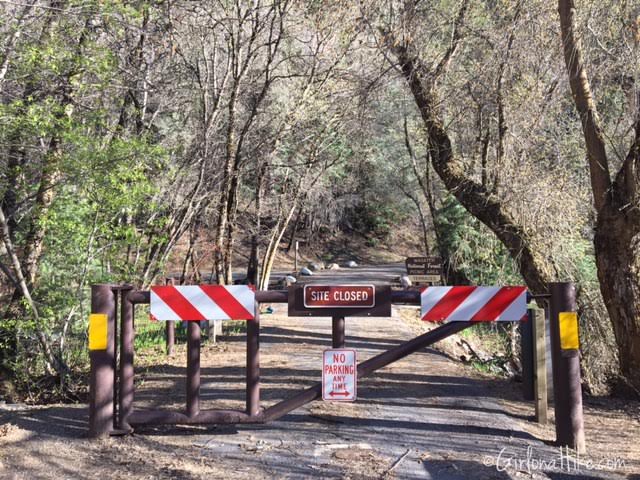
(617, 236)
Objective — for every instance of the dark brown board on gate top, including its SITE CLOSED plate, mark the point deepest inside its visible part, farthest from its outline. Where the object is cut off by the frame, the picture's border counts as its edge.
(340, 300)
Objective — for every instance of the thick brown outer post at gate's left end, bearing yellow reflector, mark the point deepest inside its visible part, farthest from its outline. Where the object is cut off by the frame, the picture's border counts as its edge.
(101, 382)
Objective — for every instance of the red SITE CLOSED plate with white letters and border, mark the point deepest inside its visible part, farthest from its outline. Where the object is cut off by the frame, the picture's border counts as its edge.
(339, 296)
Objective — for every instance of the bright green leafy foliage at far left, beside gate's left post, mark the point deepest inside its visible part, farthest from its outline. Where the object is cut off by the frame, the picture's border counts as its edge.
(103, 188)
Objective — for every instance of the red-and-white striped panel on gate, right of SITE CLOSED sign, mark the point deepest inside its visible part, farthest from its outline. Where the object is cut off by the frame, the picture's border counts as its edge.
(473, 304)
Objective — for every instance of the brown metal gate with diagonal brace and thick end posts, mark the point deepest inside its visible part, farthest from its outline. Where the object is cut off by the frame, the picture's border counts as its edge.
(112, 383)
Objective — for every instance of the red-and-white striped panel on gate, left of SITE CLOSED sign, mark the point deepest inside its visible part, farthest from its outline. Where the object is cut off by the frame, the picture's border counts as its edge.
(202, 302)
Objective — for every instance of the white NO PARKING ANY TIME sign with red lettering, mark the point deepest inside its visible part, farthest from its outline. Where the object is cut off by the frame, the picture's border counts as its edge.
(339, 375)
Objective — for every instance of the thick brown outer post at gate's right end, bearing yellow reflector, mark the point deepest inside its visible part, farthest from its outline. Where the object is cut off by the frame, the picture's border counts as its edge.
(567, 391)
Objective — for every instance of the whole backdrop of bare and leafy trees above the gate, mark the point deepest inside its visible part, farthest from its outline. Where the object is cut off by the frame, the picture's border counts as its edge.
(139, 137)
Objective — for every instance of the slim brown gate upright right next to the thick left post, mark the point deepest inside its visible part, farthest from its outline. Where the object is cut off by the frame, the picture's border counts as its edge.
(126, 359)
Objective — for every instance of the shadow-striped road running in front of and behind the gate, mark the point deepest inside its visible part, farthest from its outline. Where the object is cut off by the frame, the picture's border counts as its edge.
(423, 417)
